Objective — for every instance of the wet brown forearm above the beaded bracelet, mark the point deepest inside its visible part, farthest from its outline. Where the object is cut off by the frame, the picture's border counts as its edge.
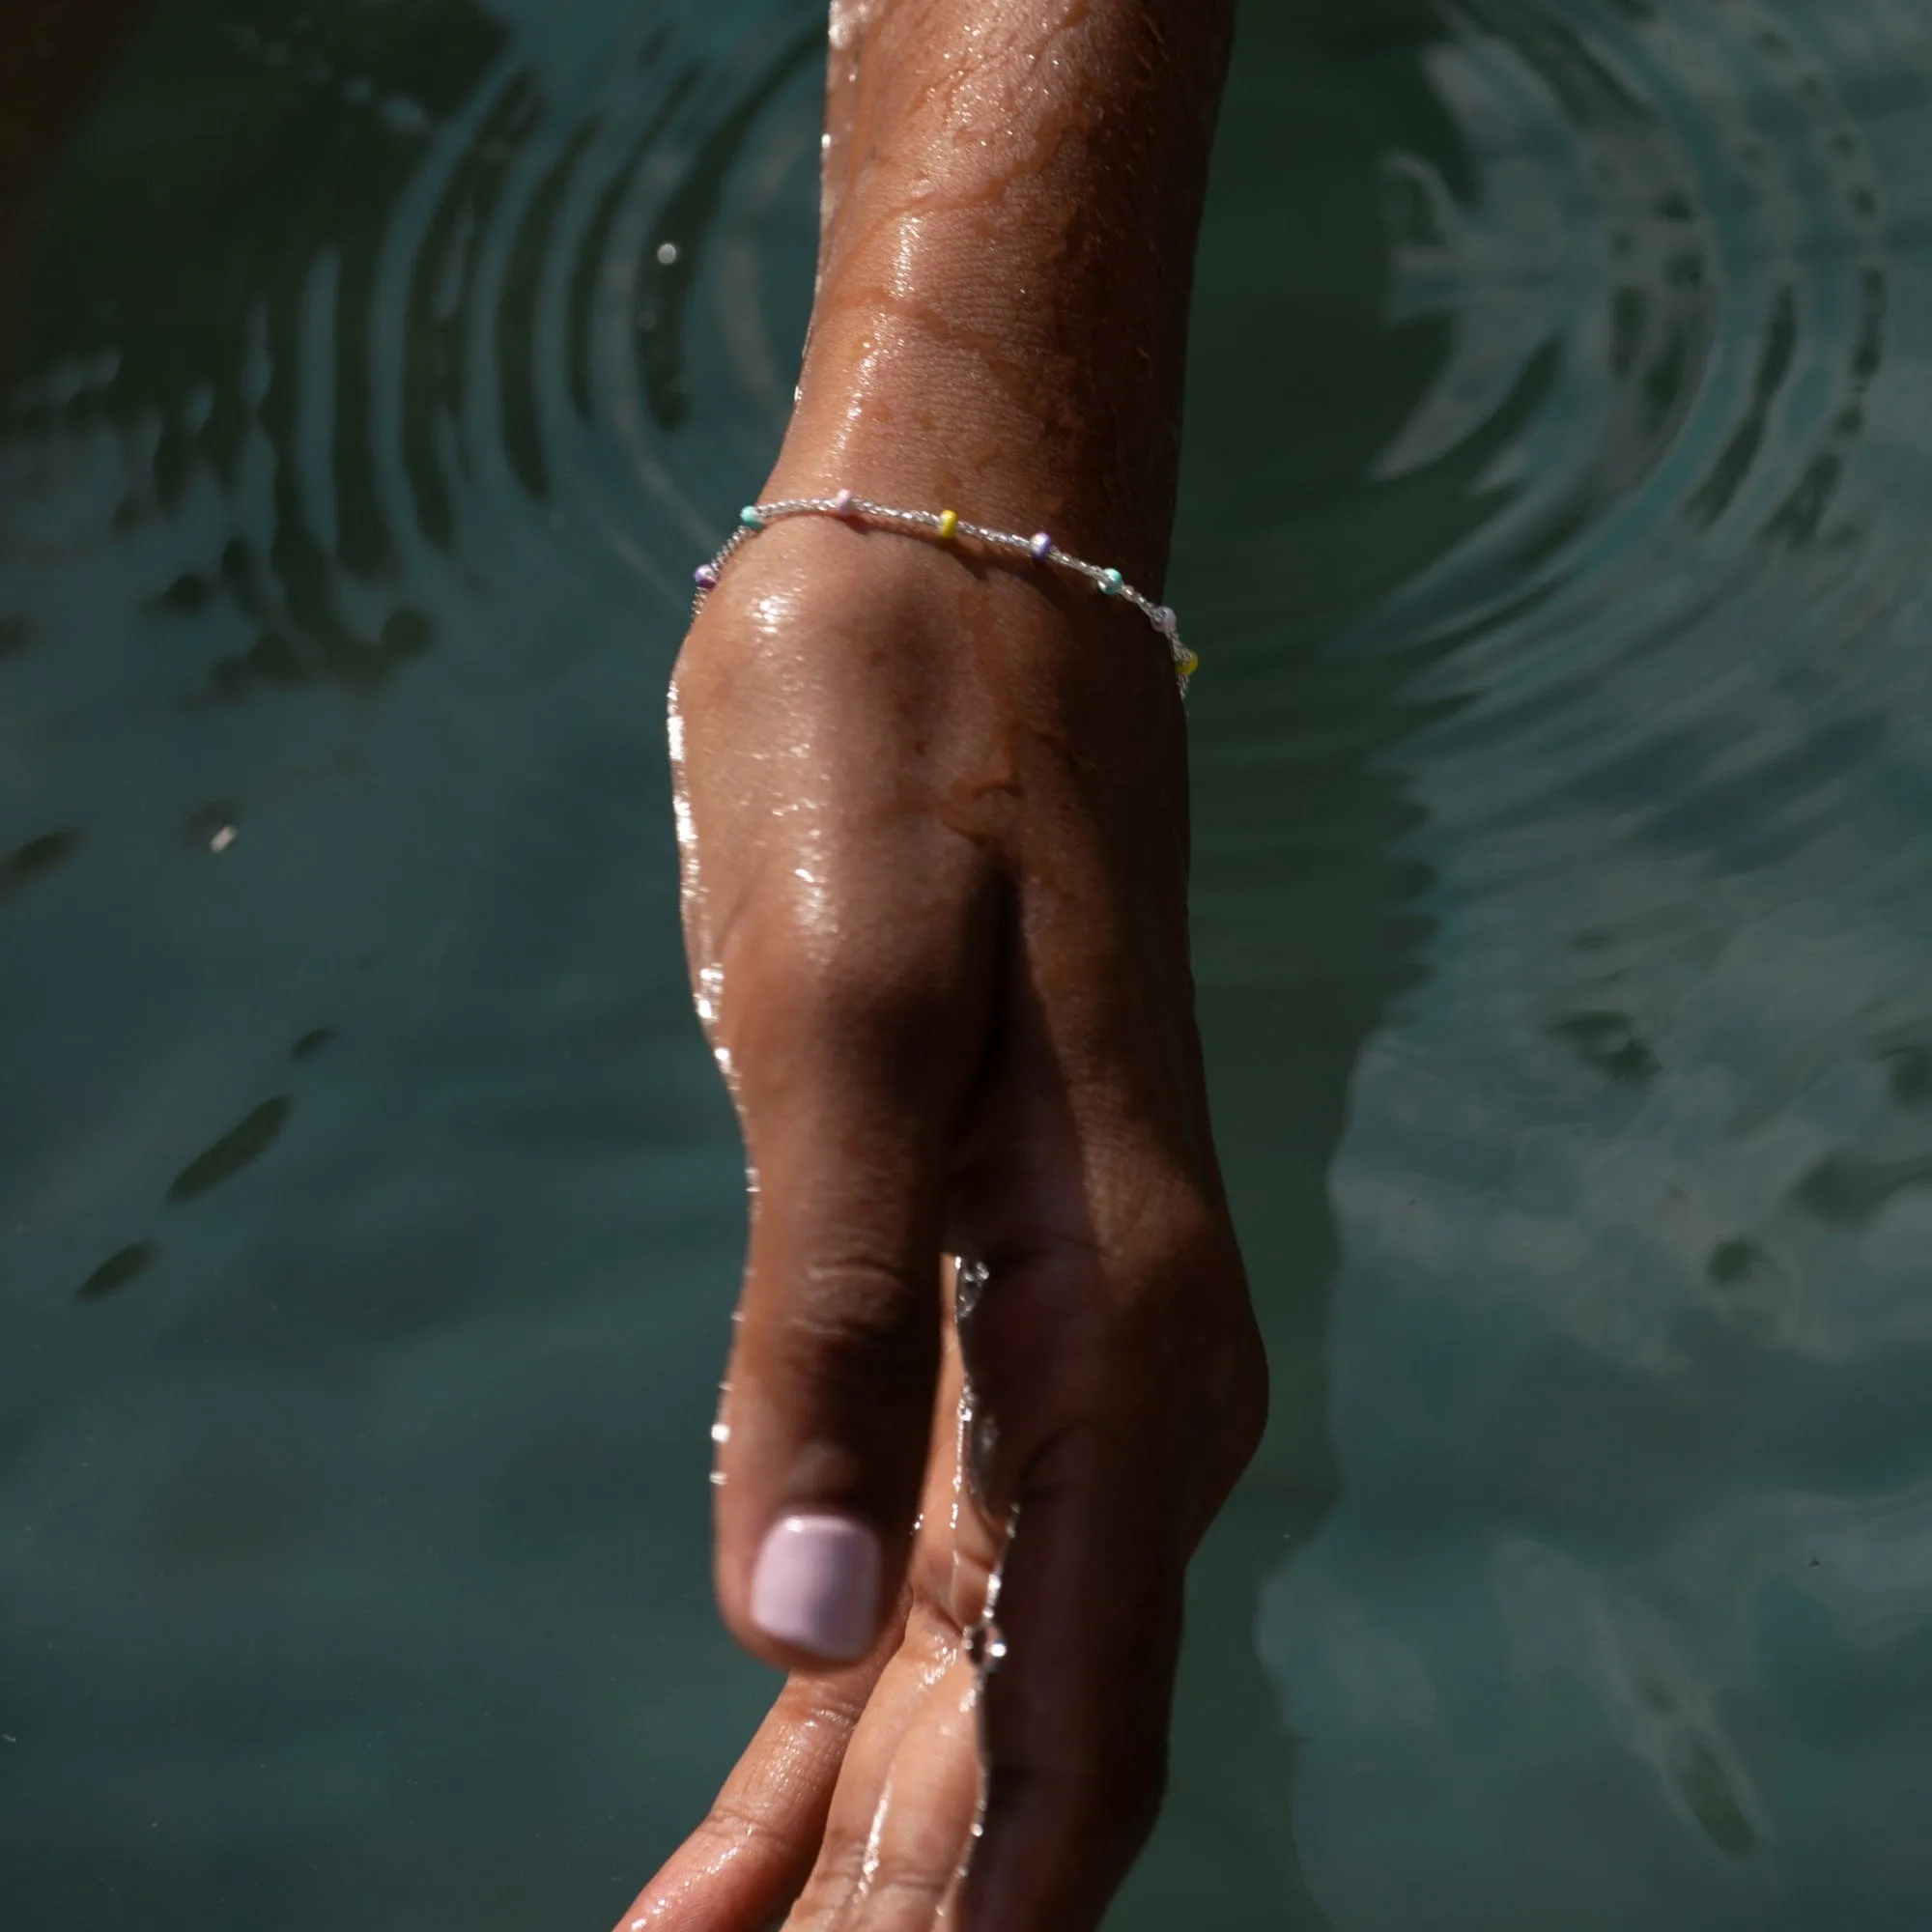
(1011, 206)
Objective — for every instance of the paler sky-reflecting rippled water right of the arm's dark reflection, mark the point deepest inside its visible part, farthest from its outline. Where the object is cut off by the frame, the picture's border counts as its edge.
(1630, 1556)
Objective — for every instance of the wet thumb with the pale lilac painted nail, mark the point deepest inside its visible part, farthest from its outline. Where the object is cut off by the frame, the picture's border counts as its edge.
(851, 1089)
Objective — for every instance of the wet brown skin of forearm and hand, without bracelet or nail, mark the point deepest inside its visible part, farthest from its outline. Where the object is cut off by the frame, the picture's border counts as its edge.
(934, 820)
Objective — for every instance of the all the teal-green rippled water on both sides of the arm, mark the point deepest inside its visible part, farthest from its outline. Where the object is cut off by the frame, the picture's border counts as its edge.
(1554, 532)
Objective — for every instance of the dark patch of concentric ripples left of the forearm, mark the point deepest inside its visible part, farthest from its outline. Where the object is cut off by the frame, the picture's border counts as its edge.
(507, 275)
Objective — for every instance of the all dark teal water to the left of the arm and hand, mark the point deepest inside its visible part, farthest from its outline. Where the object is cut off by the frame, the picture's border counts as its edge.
(370, 378)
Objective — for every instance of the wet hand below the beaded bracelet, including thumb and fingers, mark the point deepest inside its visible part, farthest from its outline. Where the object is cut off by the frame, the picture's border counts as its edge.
(934, 820)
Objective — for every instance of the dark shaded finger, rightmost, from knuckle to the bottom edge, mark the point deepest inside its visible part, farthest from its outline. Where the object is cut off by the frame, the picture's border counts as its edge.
(1112, 1436)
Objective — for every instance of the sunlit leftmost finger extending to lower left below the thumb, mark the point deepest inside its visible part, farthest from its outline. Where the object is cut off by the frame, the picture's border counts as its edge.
(745, 1865)
